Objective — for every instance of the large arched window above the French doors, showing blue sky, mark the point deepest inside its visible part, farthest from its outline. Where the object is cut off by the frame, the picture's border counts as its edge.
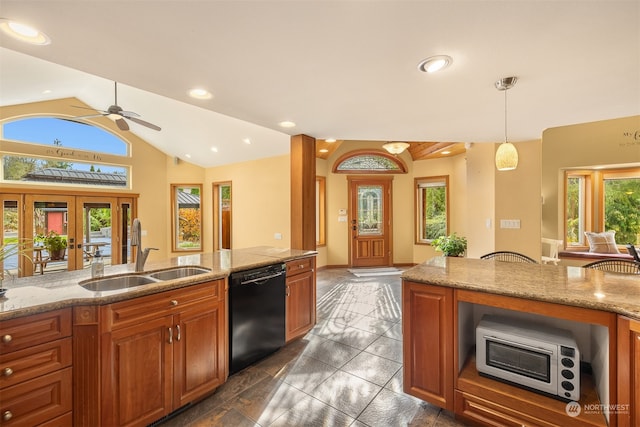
(65, 152)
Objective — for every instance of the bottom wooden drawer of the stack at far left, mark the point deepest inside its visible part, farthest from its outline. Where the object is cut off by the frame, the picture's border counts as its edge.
(35, 401)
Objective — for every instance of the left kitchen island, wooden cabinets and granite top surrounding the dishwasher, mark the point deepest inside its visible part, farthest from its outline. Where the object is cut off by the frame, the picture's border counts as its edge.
(130, 356)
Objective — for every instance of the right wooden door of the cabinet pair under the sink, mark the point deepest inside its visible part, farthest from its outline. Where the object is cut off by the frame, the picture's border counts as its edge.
(199, 352)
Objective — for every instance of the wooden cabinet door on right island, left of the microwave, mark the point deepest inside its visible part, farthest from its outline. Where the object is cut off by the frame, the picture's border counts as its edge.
(427, 313)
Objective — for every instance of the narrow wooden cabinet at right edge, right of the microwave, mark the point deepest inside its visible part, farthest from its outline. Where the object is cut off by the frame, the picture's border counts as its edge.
(628, 372)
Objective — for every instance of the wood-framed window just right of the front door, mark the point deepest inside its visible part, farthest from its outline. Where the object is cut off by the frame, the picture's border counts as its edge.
(432, 208)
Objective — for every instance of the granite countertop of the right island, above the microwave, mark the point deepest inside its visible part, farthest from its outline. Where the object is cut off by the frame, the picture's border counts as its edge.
(574, 286)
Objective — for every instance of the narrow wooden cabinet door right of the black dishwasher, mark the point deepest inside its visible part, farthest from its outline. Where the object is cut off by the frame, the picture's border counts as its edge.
(300, 305)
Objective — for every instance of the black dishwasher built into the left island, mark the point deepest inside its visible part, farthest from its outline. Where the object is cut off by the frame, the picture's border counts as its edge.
(256, 314)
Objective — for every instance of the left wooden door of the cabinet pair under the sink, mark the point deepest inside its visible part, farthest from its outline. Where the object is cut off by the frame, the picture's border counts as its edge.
(137, 373)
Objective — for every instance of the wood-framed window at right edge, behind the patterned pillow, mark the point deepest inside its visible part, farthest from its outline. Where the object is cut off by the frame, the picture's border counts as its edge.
(602, 200)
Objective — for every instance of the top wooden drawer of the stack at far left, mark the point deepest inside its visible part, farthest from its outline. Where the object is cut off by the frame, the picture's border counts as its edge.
(22, 332)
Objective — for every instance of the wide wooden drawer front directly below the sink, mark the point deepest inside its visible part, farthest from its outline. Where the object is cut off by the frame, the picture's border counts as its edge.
(136, 310)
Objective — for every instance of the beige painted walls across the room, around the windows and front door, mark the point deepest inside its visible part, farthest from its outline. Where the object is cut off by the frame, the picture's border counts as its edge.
(480, 195)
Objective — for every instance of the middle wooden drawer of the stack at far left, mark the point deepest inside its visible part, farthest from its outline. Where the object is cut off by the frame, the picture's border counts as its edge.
(32, 362)
